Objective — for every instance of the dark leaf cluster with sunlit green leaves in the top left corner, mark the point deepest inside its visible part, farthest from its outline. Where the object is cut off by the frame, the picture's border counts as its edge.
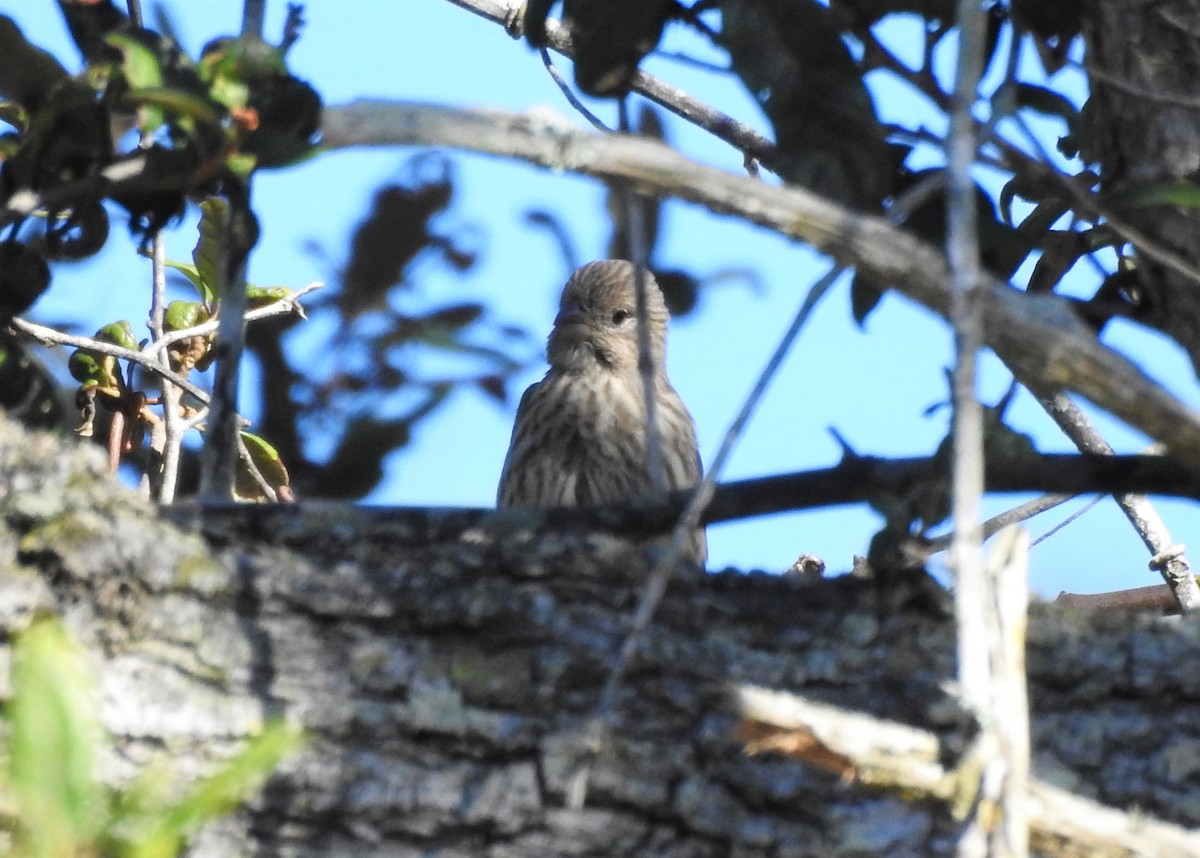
(143, 127)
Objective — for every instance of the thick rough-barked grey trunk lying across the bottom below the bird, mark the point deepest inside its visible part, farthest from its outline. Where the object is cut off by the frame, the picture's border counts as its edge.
(445, 671)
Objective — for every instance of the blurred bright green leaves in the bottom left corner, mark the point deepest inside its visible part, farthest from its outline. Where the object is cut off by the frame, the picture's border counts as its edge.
(55, 803)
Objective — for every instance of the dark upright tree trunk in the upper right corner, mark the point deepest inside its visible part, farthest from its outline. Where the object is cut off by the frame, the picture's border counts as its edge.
(1145, 129)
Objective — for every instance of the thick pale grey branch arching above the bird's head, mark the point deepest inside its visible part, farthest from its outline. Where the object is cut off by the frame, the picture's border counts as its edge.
(1039, 337)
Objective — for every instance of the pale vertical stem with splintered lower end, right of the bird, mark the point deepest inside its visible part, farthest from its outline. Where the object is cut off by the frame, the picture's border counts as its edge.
(989, 601)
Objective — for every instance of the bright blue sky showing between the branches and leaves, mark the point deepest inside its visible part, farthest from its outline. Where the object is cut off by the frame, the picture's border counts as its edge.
(873, 386)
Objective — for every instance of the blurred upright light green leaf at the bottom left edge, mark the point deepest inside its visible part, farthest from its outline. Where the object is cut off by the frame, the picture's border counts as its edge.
(53, 741)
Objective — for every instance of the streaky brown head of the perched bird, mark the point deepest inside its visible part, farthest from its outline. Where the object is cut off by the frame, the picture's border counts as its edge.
(597, 322)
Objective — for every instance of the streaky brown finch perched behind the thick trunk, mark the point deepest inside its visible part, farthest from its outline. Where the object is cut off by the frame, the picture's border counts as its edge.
(580, 434)
